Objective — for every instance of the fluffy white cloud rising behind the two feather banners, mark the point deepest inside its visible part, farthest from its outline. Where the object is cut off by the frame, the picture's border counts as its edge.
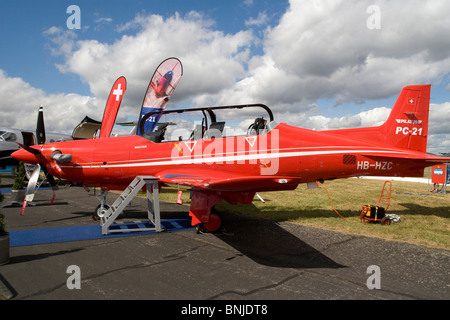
(212, 60)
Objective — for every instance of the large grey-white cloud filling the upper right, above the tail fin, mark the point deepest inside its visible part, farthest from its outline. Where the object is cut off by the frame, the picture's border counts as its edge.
(324, 49)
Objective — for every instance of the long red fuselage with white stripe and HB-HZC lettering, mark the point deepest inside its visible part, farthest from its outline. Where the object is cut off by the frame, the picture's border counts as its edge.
(286, 151)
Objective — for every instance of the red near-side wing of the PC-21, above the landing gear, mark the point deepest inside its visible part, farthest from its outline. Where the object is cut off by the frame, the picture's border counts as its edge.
(224, 181)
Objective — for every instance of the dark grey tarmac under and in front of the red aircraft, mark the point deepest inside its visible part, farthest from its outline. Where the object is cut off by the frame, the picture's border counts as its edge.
(254, 260)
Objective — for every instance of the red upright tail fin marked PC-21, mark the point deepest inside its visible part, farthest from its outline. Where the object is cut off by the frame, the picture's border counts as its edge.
(407, 125)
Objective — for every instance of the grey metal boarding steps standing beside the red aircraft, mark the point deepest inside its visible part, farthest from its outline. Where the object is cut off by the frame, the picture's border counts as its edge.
(107, 219)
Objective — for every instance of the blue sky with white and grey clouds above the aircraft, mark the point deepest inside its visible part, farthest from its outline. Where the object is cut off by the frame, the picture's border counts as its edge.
(318, 64)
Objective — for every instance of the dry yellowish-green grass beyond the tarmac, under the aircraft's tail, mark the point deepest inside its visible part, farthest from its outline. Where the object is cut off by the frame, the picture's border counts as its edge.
(424, 216)
